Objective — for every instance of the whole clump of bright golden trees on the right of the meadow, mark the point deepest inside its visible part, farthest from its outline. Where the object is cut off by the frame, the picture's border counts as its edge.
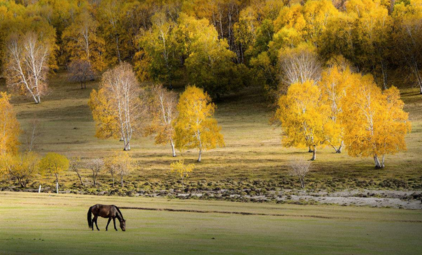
(344, 108)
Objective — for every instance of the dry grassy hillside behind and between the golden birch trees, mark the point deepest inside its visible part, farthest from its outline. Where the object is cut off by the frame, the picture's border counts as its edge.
(253, 148)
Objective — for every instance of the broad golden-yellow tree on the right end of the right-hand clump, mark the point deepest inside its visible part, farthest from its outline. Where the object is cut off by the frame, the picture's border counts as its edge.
(375, 123)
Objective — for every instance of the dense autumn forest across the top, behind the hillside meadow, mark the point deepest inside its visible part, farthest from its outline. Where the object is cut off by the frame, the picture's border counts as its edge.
(220, 46)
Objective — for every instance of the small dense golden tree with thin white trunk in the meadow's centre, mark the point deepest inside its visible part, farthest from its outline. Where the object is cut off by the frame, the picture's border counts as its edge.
(195, 126)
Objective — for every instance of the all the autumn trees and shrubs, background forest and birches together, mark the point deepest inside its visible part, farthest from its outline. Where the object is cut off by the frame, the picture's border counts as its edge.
(329, 70)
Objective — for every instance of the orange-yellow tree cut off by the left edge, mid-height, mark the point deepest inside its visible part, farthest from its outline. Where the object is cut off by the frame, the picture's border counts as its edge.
(9, 127)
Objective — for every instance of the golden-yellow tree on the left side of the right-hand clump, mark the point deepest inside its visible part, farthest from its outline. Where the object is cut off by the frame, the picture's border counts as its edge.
(302, 116)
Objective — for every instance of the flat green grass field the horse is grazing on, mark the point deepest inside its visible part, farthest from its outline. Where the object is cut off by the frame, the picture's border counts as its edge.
(56, 224)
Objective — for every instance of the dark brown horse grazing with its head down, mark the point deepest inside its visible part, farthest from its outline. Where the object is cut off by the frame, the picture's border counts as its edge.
(106, 211)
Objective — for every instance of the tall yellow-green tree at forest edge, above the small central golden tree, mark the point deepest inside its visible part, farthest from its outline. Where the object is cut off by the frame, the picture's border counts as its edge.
(210, 62)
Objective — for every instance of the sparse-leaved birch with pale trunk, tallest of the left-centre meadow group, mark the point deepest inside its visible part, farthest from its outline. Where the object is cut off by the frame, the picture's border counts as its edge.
(117, 108)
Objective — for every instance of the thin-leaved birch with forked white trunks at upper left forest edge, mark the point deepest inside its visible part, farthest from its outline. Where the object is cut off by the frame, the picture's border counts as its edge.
(27, 65)
